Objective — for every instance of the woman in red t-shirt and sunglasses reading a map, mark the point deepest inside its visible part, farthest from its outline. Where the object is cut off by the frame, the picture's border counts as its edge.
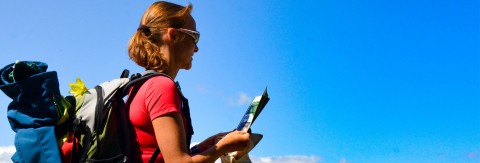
(165, 43)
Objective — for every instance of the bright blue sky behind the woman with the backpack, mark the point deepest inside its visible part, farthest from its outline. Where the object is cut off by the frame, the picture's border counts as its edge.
(349, 81)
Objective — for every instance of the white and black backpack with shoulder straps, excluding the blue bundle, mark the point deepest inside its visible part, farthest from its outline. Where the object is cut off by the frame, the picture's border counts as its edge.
(101, 122)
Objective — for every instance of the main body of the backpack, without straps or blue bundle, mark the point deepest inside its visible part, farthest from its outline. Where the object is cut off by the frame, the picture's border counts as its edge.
(97, 128)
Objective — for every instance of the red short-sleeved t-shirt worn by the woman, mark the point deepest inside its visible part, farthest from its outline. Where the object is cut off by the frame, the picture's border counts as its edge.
(156, 97)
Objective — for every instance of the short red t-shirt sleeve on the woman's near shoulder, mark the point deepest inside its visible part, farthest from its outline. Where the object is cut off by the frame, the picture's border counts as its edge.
(161, 97)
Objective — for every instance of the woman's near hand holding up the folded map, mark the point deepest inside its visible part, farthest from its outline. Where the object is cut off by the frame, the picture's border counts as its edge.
(235, 141)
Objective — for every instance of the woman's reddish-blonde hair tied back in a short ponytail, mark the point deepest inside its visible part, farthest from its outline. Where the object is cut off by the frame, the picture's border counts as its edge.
(143, 47)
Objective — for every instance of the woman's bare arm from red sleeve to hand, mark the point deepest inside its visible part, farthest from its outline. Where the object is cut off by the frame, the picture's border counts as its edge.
(170, 137)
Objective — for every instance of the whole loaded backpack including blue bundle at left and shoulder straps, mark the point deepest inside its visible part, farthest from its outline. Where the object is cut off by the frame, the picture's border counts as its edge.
(92, 126)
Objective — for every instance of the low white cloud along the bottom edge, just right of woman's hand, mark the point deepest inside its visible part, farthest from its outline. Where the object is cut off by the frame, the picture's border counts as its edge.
(287, 159)
